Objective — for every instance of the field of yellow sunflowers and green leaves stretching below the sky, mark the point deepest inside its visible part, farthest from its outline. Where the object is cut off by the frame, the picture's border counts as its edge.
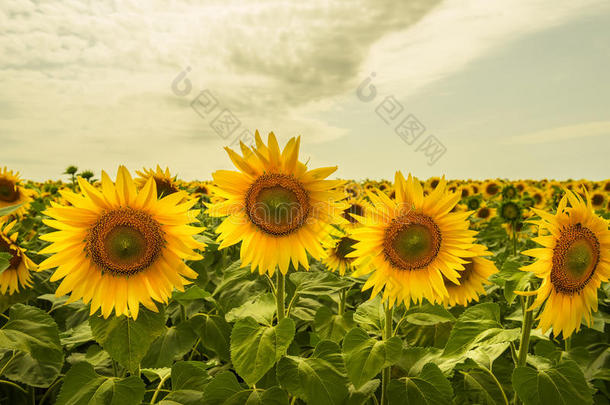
(275, 284)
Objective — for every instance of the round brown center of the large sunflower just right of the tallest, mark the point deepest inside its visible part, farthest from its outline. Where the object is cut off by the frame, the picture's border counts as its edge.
(412, 241)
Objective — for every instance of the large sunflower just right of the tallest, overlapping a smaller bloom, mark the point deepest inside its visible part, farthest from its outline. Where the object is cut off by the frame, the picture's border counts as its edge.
(410, 243)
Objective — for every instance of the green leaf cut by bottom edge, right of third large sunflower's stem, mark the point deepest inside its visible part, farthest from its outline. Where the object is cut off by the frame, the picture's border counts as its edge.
(429, 388)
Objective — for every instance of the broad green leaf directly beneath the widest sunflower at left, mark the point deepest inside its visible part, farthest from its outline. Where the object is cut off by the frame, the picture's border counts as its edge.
(126, 340)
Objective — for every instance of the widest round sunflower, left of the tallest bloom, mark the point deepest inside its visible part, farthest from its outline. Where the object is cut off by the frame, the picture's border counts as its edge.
(120, 247)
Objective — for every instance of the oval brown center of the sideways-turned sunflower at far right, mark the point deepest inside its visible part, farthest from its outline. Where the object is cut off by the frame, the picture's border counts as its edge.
(575, 259)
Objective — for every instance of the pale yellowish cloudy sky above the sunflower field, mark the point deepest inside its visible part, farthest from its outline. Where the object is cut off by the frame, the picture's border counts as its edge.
(466, 88)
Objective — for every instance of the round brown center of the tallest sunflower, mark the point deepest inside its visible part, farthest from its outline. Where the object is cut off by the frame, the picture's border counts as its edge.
(277, 204)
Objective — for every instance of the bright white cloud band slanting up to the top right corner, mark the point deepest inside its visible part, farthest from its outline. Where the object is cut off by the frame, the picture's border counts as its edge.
(458, 32)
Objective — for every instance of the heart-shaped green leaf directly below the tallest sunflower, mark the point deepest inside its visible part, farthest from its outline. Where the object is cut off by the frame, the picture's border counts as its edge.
(255, 348)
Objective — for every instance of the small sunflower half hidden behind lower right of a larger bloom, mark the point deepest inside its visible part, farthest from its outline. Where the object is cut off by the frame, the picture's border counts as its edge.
(472, 280)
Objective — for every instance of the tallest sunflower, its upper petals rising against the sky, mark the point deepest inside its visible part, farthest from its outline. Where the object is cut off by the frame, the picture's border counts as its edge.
(276, 208)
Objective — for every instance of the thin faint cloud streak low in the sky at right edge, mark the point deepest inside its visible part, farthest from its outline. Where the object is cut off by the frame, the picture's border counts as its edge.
(558, 134)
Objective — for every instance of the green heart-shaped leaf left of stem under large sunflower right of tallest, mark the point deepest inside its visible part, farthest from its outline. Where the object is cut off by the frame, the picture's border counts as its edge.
(365, 357)
